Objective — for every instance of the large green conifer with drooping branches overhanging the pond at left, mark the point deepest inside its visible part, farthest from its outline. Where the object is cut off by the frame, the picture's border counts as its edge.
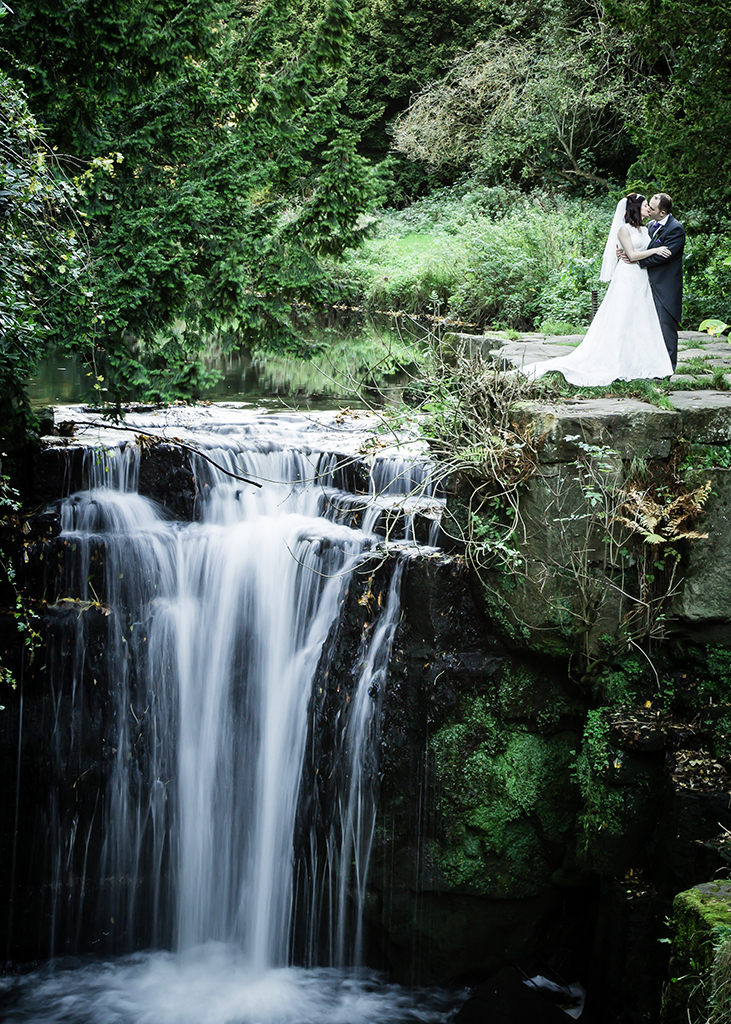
(210, 179)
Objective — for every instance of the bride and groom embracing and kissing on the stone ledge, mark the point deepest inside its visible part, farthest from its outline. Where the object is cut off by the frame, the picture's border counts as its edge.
(634, 335)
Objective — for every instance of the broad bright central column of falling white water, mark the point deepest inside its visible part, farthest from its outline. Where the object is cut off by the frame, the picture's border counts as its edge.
(260, 586)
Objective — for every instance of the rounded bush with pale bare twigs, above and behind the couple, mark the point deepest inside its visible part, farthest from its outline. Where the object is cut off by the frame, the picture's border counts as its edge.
(554, 107)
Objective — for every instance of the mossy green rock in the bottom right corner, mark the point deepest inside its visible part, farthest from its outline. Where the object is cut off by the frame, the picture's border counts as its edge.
(698, 991)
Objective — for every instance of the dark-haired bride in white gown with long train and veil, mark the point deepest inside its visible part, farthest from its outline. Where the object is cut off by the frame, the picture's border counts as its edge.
(625, 340)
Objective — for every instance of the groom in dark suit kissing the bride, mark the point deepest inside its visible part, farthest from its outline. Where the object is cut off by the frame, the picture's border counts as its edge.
(666, 273)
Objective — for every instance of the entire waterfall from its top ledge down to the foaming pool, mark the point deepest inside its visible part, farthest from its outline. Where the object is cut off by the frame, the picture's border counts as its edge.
(198, 860)
